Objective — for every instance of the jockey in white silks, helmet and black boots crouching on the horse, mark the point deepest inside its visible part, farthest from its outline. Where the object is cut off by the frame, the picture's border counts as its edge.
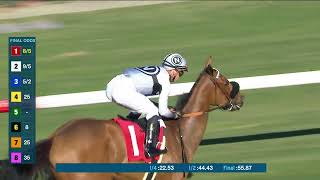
(131, 88)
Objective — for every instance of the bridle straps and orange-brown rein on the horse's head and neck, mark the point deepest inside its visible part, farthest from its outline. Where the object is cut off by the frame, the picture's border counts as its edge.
(227, 106)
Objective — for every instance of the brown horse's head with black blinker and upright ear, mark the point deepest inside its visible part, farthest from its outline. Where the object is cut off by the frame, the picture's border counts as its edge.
(225, 94)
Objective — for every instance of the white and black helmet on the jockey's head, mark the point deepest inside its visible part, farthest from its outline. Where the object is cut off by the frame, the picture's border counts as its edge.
(175, 61)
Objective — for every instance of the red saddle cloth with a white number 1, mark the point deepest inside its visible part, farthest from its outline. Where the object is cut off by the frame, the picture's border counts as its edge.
(134, 138)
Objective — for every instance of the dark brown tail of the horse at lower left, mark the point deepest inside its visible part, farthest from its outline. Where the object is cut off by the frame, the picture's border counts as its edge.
(40, 170)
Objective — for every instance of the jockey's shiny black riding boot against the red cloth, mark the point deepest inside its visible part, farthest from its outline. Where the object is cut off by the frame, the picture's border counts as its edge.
(151, 141)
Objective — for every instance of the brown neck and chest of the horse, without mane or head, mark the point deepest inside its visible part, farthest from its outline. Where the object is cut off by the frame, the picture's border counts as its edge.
(193, 128)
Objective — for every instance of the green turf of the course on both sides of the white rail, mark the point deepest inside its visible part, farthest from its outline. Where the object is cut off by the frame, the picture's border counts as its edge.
(246, 39)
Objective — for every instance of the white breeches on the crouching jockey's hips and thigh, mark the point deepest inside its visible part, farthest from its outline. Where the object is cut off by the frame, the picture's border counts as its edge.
(122, 91)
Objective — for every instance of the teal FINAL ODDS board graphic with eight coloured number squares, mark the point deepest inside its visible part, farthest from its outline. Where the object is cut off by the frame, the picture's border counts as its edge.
(22, 96)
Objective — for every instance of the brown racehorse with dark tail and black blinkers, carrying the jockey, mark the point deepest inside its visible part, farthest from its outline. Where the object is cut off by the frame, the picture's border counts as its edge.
(101, 141)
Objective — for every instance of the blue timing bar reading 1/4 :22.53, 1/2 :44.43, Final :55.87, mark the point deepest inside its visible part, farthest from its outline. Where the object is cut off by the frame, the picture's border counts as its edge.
(163, 167)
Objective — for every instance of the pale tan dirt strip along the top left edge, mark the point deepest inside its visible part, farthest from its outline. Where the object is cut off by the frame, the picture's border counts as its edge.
(60, 7)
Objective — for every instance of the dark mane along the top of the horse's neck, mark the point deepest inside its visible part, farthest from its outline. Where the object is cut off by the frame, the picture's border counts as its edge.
(183, 99)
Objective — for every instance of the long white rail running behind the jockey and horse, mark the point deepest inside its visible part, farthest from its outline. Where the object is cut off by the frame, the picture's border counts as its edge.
(256, 82)
